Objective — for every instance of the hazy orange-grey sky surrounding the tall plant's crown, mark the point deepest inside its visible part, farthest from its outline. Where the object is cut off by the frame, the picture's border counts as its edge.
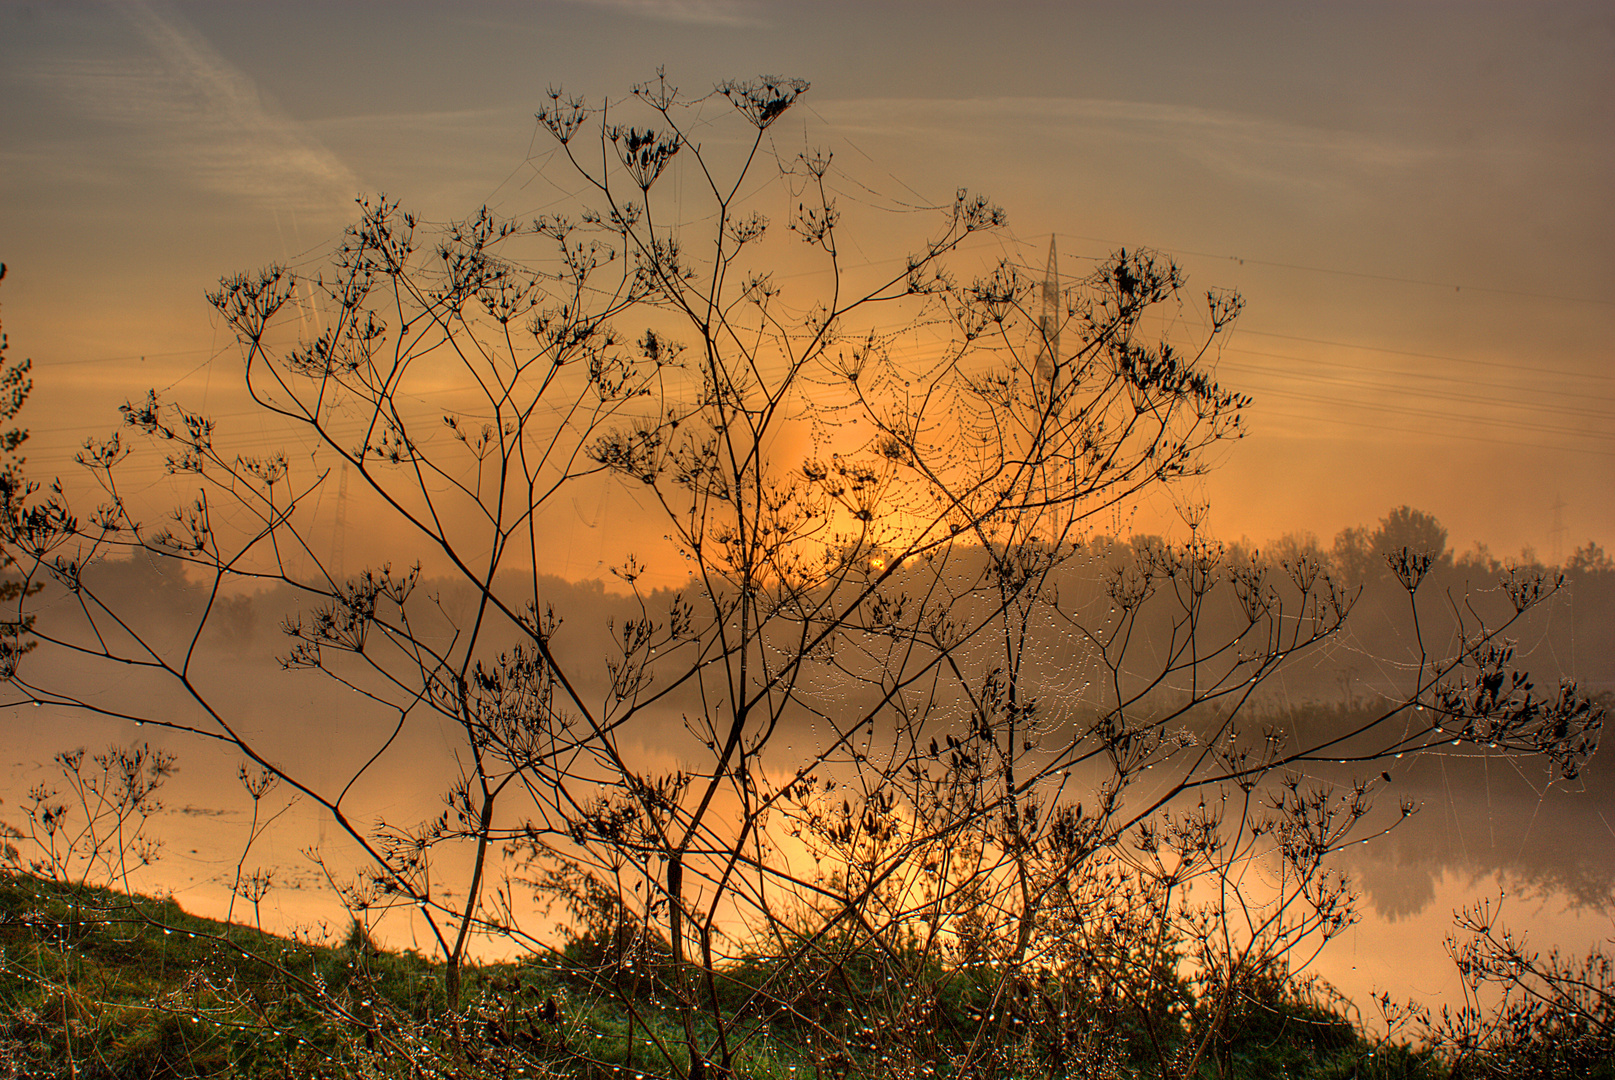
(1412, 198)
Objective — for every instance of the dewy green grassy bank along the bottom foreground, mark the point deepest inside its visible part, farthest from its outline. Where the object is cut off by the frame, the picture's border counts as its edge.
(98, 984)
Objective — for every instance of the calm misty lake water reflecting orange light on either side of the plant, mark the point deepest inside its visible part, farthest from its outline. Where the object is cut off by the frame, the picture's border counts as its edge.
(1487, 831)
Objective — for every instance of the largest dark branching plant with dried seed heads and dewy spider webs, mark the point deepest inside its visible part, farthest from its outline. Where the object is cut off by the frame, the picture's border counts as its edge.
(957, 803)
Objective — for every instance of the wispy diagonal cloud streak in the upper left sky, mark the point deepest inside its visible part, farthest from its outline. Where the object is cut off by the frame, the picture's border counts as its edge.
(201, 119)
